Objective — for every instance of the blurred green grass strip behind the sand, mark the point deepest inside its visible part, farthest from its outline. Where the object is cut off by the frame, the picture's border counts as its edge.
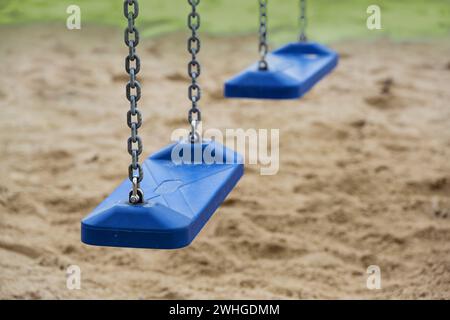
(329, 20)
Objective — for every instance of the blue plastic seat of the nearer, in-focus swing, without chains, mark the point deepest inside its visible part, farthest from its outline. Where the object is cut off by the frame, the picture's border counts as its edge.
(179, 199)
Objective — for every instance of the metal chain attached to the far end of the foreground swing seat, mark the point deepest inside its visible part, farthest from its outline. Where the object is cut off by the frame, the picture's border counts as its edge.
(194, 91)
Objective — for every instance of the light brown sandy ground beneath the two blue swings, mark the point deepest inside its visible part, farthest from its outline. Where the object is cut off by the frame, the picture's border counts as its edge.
(364, 171)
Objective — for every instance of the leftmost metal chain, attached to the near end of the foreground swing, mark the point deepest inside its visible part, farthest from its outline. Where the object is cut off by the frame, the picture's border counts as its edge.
(133, 94)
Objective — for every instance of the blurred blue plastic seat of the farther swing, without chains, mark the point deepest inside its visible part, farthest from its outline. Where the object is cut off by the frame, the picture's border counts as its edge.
(292, 71)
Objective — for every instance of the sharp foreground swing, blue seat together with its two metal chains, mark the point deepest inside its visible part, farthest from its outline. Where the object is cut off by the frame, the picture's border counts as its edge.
(168, 208)
